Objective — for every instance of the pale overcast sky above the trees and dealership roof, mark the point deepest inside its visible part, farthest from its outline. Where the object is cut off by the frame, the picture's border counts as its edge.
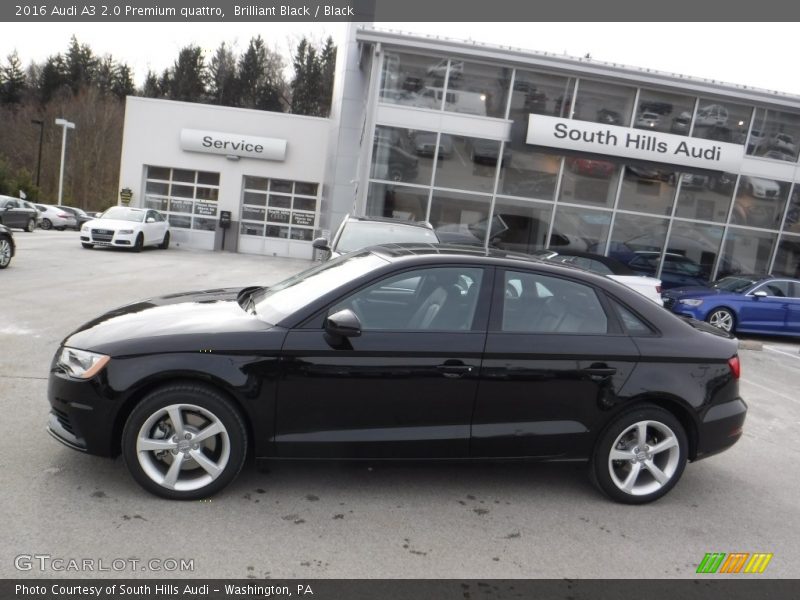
(729, 52)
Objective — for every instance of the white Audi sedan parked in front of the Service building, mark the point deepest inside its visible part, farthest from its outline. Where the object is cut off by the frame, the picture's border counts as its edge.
(124, 227)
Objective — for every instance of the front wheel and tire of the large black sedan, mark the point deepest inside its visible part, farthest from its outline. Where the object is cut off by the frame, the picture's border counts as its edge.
(199, 406)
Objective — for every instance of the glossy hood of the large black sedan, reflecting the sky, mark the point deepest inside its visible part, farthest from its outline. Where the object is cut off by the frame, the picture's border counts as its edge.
(210, 320)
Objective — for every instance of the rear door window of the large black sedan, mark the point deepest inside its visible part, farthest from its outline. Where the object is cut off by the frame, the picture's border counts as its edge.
(535, 303)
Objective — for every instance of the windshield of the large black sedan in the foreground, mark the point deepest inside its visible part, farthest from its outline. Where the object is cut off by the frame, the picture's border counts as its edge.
(275, 303)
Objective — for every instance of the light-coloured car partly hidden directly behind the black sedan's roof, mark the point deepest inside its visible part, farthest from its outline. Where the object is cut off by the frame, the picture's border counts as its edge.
(356, 233)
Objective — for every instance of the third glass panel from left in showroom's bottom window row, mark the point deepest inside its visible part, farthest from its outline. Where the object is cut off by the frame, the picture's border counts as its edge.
(520, 226)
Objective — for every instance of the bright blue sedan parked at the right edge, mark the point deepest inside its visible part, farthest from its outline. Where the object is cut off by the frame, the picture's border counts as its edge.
(743, 304)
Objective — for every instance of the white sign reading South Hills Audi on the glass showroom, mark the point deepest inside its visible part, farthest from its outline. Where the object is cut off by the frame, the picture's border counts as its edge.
(637, 144)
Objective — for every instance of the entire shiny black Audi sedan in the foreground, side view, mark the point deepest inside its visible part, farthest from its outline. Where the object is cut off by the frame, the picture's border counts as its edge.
(401, 352)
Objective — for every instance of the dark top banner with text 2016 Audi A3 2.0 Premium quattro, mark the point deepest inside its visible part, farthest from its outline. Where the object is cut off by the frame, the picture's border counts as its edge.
(392, 11)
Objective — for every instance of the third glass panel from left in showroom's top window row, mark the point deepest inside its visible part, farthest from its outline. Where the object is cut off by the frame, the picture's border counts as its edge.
(540, 93)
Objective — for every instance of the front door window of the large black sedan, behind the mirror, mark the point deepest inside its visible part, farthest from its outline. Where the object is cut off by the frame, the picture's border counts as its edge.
(438, 299)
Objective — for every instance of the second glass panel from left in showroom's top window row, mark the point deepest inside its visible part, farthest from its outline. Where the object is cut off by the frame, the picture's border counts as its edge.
(477, 89)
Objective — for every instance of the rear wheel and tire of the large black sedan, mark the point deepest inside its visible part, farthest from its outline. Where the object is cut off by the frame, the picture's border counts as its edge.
(649, 474)
